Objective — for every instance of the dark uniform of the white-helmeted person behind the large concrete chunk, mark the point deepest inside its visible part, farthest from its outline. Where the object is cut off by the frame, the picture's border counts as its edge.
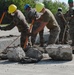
(59, 17)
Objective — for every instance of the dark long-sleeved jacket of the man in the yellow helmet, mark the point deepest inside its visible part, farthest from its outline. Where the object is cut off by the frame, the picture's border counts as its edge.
(19, 21)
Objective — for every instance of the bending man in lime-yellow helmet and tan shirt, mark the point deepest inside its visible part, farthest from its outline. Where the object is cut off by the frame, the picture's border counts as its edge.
(47, 19)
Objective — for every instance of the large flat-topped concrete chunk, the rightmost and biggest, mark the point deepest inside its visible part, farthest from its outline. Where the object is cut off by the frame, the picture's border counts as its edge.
(59, 52)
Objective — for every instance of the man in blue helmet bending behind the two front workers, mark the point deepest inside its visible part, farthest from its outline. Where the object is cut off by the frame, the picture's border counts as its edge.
(31, 14)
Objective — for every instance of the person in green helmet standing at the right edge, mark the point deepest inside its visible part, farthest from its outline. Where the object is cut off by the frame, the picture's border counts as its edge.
(70, 18)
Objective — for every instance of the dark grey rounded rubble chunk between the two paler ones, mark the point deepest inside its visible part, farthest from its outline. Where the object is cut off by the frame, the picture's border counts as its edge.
(34, 53)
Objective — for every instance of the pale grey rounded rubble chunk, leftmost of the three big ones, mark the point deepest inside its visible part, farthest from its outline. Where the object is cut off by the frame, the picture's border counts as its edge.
(15, 54)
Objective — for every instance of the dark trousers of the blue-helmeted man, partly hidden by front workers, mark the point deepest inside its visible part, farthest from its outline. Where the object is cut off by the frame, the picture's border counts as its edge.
(33, 37)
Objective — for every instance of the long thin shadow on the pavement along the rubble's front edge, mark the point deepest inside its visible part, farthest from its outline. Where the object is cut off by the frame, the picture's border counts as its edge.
(45, 61)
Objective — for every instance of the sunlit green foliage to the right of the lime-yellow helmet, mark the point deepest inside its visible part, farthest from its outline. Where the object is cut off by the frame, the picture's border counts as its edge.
(53, 6)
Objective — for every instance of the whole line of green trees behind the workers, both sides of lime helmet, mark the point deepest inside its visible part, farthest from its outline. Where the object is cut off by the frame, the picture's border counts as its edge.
(53, 6)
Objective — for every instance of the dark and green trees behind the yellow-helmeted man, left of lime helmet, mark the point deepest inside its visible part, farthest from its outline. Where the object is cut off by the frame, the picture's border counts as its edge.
(4, 4)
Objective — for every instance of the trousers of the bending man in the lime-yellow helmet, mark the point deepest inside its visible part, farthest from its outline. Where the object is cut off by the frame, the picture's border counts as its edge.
(54, 34)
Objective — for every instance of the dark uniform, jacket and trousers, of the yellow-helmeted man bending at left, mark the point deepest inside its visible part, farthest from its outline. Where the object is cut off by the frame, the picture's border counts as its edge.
(20, 22)
